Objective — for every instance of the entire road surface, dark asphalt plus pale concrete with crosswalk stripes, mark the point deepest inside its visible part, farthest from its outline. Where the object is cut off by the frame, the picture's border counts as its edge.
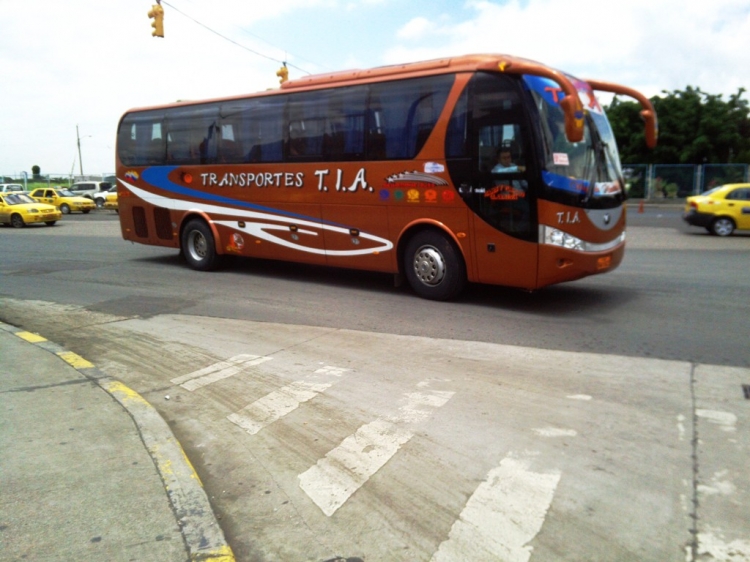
(332, 415)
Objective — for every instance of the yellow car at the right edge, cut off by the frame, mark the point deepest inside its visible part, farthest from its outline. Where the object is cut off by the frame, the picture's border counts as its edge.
(720, 210)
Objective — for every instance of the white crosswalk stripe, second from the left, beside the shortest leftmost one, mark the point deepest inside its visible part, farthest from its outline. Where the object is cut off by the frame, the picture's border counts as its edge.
(273, 406)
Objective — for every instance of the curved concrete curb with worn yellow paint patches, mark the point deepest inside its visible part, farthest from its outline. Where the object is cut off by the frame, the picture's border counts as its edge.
(200, 530)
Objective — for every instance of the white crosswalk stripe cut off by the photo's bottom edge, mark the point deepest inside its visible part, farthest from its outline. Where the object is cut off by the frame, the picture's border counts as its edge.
(503, 515)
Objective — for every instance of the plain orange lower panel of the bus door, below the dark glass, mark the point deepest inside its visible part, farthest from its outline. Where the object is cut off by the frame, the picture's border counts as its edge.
(502, 259)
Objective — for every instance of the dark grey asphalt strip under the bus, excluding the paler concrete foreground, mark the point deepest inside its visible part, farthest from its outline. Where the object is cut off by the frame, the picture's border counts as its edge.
(679, 294)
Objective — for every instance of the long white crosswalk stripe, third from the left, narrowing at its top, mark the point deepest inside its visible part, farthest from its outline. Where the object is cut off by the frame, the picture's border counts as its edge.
(332, 481)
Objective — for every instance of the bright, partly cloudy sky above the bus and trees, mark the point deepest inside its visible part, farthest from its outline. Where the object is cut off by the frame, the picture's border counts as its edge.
(70, 69)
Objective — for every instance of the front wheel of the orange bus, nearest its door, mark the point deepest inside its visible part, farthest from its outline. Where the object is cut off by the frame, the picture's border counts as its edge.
(434, 266)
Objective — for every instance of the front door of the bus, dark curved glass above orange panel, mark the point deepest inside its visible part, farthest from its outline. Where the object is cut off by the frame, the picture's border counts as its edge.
(493, 174)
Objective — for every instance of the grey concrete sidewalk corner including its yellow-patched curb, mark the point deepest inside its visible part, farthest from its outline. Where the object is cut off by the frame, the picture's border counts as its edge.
(89, 470)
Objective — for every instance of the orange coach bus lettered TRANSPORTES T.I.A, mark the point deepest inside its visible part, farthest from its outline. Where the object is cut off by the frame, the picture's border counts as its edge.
(482, 168)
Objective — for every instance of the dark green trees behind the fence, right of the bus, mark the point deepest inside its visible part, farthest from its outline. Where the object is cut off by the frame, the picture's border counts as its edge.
(694, 128)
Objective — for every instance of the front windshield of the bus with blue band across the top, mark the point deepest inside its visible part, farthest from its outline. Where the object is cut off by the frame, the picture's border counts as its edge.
(587, 173)
